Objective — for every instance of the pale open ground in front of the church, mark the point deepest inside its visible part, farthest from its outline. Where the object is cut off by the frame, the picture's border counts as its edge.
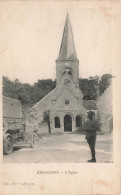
(65, 148)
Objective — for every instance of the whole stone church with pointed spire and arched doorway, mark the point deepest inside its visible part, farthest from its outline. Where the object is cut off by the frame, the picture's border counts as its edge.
(67, 109)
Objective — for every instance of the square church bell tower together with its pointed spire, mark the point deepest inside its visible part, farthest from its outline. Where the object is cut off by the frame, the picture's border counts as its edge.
(67, 64)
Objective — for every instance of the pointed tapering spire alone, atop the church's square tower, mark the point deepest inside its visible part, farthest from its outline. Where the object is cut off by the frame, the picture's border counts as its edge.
(67, 49)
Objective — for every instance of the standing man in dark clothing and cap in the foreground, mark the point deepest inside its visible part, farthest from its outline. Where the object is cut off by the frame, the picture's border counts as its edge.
(91, 127)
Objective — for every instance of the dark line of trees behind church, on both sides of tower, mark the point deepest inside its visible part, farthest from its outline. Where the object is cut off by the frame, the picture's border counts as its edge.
(31, 94)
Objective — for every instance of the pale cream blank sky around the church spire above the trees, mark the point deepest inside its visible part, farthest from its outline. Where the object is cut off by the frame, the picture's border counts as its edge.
(31, 34)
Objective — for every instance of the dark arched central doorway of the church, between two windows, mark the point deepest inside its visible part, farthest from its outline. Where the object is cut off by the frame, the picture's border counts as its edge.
(67, 123)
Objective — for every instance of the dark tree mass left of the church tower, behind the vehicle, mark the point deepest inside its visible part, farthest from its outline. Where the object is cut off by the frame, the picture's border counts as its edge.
(26, 93)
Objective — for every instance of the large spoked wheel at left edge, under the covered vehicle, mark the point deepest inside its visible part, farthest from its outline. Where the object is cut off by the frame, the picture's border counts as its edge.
(8, 145)
